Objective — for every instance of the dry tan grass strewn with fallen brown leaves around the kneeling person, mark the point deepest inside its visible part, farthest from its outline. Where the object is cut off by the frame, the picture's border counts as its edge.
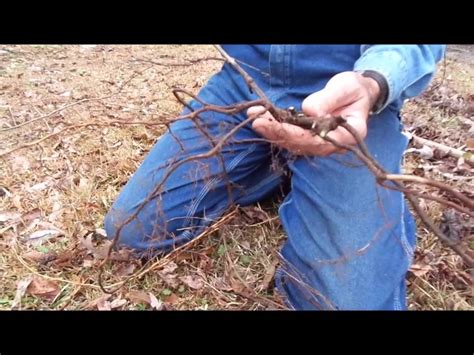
(68, 183)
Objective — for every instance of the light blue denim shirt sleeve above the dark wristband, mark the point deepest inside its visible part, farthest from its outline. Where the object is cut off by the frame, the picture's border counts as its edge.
(408, 69)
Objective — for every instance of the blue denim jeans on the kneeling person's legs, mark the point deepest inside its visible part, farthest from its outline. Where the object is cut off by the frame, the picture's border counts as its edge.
(349, 242)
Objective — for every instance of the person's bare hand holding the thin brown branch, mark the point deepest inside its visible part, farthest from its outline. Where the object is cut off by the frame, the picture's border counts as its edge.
(348, 94)
